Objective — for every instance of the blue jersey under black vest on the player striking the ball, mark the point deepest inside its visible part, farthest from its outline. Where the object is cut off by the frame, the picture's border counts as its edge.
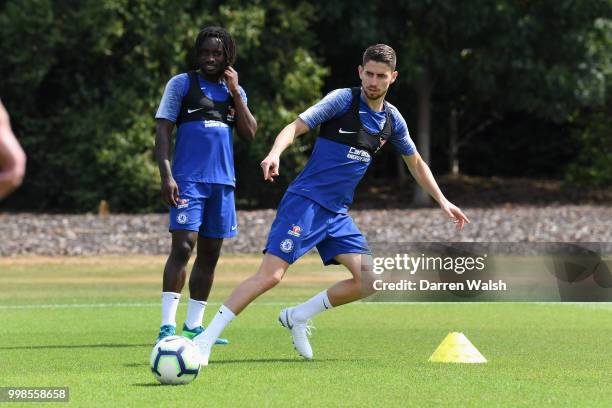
(334, 169)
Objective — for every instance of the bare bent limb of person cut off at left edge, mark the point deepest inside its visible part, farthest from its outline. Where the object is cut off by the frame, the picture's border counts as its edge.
(12, 157)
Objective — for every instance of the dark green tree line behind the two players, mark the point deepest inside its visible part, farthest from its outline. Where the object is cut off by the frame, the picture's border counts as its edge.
(505, 87)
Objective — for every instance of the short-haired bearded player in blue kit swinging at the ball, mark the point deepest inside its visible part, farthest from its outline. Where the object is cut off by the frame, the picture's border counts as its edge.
(355, 124)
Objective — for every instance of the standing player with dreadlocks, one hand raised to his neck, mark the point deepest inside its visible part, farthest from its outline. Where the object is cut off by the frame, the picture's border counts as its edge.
(205, 106)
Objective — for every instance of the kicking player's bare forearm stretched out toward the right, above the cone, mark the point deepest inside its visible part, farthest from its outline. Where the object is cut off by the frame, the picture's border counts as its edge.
(422, 174)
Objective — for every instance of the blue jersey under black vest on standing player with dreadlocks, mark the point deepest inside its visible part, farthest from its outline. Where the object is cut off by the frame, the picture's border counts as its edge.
(204, 150)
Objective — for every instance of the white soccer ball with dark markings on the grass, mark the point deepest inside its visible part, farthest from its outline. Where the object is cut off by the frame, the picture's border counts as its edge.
(175, 360)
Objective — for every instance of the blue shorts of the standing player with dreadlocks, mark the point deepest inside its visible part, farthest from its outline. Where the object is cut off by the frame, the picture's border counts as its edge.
(206, 208)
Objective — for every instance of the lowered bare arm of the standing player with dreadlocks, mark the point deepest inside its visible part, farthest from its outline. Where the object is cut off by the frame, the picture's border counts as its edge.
(163, 135)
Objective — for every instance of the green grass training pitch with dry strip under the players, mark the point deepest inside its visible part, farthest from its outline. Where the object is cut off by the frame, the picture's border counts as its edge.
(89, 324)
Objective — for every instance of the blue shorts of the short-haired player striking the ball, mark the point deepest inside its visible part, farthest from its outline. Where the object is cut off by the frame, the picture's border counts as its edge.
(302, 224)
